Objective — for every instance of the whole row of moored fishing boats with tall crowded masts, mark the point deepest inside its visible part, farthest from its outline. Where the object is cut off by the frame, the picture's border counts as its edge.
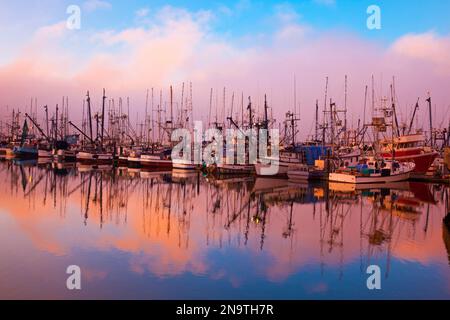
(109, 135)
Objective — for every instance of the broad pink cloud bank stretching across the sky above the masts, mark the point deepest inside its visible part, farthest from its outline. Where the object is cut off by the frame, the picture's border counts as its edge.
(179, 47)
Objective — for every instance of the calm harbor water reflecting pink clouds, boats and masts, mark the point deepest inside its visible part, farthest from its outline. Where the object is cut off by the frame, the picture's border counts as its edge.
(139, 233)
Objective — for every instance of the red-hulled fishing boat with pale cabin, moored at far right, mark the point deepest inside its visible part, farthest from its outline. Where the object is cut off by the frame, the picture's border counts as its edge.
(409, 148)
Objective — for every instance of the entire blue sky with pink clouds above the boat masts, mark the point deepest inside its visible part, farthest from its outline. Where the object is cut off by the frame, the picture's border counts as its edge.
(249, 47)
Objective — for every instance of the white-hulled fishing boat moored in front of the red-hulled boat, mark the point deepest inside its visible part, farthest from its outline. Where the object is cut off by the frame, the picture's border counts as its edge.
(374, 171)
